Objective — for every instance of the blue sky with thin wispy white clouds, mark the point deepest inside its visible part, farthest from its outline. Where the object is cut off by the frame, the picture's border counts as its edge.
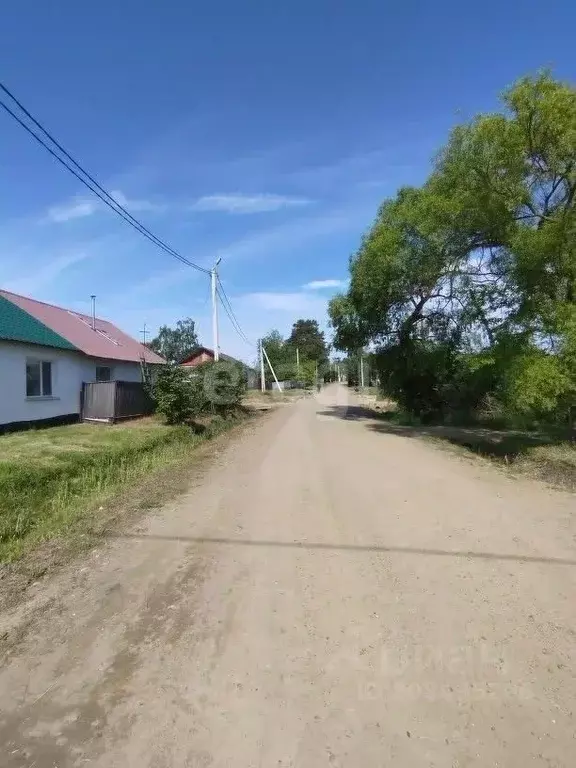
(261, 132)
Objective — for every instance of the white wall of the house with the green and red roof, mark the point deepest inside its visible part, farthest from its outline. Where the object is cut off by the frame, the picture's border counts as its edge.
(69, 371)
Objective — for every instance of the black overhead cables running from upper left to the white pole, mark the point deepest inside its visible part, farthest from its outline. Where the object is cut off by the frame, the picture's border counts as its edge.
(94, 186)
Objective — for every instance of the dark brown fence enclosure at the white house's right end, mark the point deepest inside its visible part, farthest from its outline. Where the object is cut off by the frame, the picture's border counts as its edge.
(113, 400)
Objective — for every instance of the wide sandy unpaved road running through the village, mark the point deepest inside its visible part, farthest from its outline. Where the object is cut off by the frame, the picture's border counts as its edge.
(328, 595)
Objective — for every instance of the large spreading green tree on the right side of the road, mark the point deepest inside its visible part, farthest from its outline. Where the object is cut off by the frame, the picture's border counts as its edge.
(467, 285)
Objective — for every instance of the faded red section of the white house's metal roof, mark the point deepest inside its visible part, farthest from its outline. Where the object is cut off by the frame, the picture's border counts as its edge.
(106, 341)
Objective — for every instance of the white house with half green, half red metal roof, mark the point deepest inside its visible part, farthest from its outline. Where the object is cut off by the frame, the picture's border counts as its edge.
(47, 353)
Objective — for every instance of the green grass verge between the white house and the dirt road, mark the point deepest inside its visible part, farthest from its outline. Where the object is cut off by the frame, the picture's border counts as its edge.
(52, 480)
